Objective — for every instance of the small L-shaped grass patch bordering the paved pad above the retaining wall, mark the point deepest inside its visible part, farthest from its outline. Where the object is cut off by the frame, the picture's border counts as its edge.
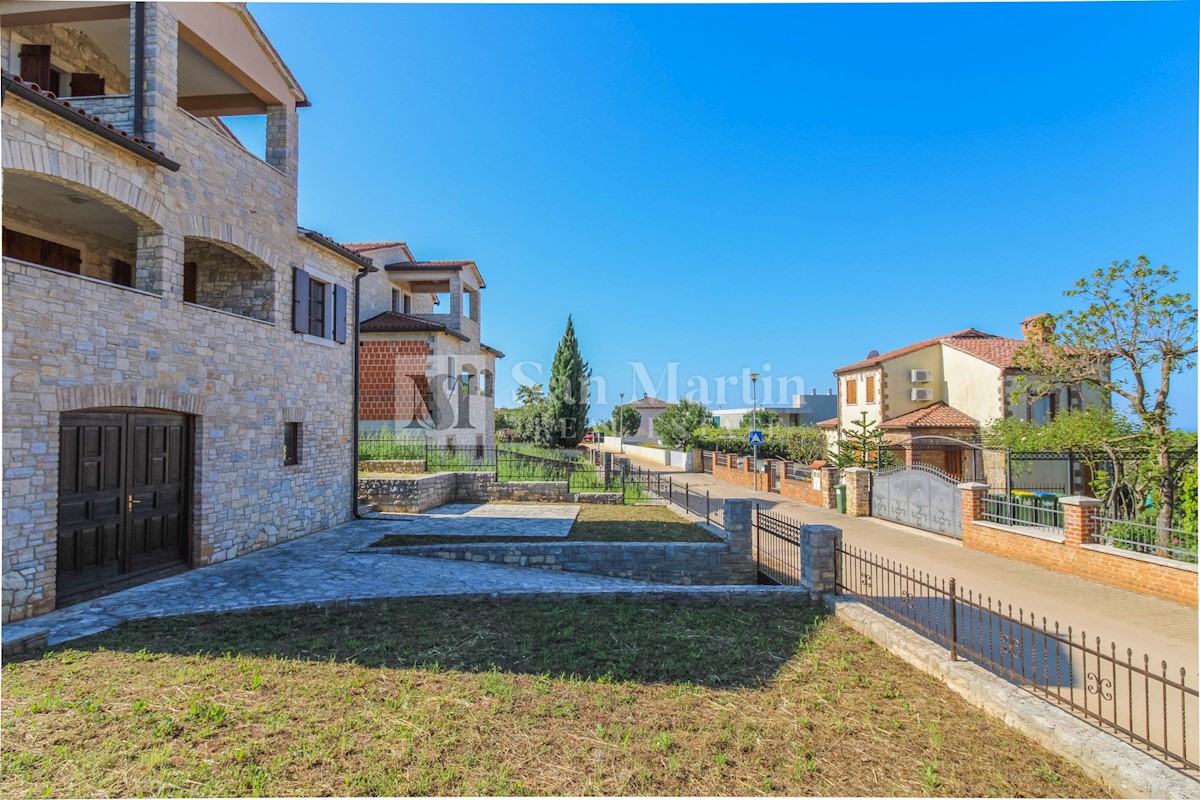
(596, 524)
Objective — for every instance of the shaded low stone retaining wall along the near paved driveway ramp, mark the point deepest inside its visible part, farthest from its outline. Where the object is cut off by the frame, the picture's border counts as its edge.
(676, 563)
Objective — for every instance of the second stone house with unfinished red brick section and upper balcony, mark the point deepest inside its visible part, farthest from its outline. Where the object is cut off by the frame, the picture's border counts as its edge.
(424, 372)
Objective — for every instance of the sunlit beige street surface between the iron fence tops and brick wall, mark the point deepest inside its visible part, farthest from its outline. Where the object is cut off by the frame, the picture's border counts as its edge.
(1159, 628)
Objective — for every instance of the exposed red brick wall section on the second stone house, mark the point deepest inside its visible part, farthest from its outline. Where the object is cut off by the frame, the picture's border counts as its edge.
(393, 383)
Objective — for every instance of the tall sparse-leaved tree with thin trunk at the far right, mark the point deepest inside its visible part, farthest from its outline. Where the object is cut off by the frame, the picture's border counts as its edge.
(1133, 335)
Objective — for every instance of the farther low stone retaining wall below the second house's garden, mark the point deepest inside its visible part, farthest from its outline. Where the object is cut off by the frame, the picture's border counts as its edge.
(424, 492)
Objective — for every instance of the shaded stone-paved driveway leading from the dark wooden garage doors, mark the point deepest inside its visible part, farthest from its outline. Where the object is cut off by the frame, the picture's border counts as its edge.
(327, 568)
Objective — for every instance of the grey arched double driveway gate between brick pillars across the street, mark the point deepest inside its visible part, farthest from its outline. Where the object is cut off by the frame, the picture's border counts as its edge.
(921, 497)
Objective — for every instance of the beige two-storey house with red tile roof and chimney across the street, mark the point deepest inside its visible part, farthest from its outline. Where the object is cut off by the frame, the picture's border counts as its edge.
(931, 394)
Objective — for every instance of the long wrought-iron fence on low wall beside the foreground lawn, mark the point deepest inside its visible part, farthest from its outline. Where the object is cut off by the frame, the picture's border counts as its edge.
(1151, 706)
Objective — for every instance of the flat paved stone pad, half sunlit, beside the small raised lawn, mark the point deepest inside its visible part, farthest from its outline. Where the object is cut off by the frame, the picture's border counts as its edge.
(496, 520)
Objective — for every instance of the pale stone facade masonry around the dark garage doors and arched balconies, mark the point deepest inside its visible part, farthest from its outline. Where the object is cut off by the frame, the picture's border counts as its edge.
(73, 342)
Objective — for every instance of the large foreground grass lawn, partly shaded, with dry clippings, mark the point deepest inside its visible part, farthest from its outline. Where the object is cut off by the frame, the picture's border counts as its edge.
(518, 697)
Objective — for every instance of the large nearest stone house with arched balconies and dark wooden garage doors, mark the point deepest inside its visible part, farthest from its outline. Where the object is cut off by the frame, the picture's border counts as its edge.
(178, 360)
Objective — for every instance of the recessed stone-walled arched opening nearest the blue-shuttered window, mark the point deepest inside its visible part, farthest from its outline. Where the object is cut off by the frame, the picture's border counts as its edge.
(230, 282)
